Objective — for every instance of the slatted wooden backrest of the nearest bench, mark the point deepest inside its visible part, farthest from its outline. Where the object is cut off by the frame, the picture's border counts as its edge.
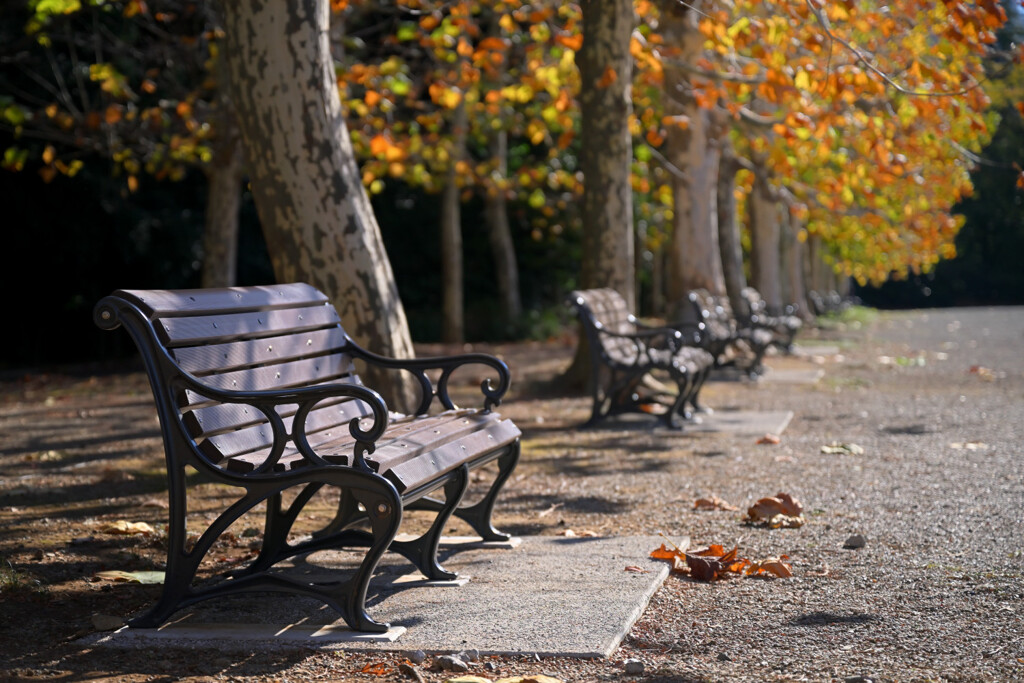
(244, 339)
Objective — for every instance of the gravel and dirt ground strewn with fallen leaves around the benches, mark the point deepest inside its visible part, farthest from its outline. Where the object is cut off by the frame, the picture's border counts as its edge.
(934, 400)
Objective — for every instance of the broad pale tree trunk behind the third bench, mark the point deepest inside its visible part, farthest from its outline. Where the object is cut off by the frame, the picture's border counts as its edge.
(695, 258)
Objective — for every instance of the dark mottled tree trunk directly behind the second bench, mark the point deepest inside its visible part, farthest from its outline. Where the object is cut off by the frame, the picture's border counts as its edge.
(607, 147)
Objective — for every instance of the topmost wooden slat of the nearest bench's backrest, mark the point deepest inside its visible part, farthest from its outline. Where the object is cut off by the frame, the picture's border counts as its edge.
(173, 304)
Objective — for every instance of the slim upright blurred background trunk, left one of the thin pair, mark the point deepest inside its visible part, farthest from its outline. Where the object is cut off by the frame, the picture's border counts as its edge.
(453, 304)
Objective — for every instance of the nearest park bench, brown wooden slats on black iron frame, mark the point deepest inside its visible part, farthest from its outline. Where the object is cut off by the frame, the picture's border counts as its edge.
(255, 389)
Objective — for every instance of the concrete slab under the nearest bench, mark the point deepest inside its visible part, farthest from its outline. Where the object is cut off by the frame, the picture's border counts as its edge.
(551, 596)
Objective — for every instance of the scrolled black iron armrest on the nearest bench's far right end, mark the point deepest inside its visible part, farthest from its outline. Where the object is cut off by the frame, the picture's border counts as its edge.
(448, 365)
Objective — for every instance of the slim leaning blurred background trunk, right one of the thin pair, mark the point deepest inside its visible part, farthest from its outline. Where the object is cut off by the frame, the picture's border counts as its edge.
(502, 246)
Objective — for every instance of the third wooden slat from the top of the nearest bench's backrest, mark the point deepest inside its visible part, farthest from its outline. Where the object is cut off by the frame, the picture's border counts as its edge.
(233, 356)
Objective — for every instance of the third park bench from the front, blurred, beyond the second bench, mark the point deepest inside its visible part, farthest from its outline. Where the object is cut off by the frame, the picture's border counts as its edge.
(731, 339)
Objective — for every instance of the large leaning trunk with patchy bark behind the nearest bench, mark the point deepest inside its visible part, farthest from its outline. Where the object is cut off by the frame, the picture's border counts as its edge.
(316, 216)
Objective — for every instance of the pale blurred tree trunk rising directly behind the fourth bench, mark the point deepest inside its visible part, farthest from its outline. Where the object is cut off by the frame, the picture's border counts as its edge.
(764, 208)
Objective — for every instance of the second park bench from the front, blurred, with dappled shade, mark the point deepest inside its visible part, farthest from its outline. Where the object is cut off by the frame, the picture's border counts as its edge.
(625, 354)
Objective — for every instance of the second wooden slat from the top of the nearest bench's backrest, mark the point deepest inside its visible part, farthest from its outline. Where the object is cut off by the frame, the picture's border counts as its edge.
(255, 325)
